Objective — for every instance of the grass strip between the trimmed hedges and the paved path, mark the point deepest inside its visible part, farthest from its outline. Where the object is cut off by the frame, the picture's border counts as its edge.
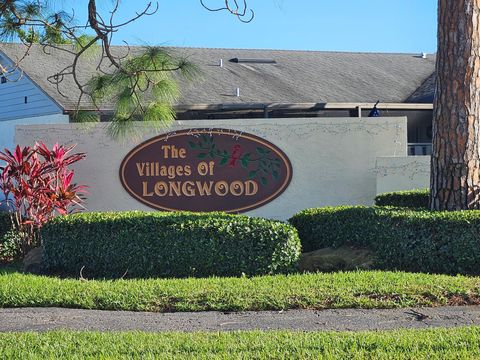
(366, 289)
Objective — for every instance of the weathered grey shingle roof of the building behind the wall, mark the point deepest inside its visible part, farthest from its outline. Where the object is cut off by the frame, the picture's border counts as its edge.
(297, 76)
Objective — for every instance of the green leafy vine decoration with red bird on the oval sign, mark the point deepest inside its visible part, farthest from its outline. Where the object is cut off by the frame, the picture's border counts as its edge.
(264, 164)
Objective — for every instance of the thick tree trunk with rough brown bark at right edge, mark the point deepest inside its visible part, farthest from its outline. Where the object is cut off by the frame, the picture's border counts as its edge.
(455, 172)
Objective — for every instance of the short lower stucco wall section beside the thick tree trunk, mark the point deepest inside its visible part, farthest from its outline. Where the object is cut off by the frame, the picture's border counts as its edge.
(402, 173)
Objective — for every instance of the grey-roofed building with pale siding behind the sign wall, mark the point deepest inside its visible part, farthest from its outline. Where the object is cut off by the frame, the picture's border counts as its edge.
(243, 84)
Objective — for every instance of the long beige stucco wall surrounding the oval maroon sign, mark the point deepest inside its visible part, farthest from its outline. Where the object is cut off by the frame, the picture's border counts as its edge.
(333, 159)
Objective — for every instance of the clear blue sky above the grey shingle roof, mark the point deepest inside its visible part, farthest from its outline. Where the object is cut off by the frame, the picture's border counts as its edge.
(405, 26)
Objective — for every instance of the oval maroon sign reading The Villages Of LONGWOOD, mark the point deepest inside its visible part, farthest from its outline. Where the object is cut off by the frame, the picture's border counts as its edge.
(206, 170)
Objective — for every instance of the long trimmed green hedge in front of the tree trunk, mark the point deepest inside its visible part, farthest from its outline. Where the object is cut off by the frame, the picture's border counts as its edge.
(402, 239)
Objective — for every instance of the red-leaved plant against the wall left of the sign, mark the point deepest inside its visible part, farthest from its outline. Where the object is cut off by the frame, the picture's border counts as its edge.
(37, 186)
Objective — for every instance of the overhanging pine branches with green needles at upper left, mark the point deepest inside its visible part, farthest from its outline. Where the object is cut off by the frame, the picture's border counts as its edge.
(141, 85)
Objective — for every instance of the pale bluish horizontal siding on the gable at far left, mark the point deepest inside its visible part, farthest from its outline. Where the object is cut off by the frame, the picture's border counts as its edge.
(24, 99)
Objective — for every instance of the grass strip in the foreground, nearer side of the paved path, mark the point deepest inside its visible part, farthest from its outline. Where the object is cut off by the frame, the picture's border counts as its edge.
(459, 343)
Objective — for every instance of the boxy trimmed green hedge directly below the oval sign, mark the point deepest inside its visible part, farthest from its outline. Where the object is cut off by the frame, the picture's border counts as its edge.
(168, 245)
